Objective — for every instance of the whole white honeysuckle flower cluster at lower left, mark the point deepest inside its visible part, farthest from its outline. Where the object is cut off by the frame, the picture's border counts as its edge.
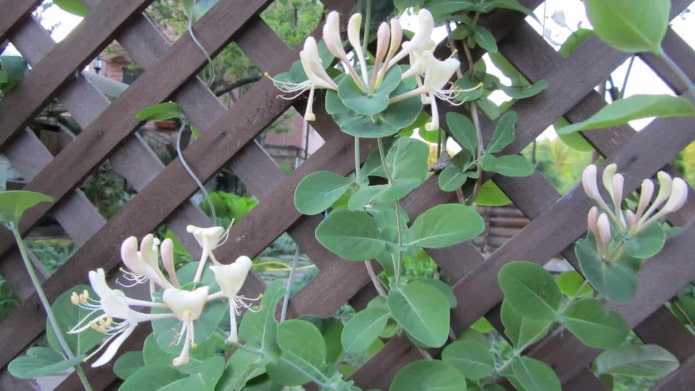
(111, 312)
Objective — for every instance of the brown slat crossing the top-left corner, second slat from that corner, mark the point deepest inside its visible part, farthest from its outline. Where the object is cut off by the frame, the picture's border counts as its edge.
(48, 77)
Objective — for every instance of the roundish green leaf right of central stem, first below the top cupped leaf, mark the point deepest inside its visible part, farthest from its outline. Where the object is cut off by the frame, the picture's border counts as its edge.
(407, 160)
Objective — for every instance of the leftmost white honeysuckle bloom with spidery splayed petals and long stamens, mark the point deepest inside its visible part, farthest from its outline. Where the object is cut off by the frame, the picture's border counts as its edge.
(110, 315)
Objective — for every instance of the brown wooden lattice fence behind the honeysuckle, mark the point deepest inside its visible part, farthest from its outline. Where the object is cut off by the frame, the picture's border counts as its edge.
(228, 138)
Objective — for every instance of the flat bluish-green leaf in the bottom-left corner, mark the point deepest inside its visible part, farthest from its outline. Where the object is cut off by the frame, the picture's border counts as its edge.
(40, 361)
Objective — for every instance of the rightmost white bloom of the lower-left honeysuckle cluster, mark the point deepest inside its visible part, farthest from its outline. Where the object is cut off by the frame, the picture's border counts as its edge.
(231, 278)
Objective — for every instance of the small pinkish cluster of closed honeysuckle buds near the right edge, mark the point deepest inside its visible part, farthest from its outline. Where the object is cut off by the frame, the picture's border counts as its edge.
(608, 216)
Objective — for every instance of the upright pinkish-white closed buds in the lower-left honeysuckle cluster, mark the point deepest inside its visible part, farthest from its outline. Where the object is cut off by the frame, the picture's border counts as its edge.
(143, 263)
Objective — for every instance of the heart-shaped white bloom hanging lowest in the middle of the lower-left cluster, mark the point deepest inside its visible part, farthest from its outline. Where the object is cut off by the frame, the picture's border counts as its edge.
(187, 307)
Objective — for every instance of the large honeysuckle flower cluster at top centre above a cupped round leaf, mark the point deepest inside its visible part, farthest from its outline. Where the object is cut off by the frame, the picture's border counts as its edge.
(431, 74)
